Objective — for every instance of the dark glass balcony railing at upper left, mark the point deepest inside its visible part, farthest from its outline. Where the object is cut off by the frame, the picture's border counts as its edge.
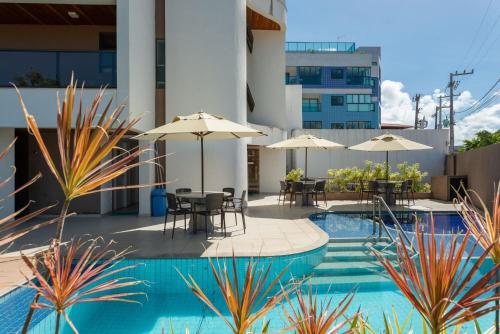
(54, 68)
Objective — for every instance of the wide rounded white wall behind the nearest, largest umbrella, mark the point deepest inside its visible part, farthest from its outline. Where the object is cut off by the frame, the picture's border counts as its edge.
(205, 48)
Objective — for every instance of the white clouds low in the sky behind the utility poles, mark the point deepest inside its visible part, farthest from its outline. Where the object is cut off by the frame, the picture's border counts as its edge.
(397, 107)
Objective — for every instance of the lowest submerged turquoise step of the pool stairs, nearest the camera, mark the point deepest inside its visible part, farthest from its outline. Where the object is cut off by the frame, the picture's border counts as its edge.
(343, 283)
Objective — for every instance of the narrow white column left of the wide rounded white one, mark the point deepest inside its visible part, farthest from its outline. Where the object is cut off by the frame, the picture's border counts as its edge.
(136, 72)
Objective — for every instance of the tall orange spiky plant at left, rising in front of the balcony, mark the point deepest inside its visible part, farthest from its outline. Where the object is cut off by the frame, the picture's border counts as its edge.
(83, 152)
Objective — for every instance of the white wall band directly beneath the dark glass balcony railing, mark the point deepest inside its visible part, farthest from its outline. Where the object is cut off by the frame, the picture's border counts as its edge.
(41, 103)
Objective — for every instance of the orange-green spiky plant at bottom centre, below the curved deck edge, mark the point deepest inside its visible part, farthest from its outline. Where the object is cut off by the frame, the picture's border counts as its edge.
(244, 304)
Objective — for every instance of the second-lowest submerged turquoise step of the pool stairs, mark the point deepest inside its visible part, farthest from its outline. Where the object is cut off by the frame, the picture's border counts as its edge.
(347, 268)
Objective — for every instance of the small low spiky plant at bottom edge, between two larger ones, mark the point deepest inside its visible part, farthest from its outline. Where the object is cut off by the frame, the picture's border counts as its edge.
(311, 317)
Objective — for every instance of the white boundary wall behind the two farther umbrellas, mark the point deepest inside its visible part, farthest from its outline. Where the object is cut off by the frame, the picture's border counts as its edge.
(431, 161)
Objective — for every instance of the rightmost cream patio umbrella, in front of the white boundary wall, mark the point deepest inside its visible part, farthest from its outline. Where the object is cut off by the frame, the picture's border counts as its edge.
(389, 142)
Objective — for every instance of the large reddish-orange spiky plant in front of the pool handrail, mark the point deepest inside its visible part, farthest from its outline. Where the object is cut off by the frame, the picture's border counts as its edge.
(445, 289)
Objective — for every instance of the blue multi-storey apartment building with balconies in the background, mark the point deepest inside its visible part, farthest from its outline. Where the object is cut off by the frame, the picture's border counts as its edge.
(341, 84)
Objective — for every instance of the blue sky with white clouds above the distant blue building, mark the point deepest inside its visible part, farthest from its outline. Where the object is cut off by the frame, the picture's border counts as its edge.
(422, 42)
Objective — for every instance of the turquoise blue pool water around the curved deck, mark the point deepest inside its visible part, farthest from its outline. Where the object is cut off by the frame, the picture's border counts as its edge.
(170, 303)
